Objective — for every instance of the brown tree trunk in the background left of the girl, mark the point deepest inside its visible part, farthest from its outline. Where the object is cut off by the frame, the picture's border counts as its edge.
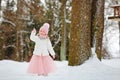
(20, 25)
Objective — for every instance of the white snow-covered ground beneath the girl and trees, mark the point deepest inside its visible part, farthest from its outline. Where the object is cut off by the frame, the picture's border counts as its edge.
(90, 70)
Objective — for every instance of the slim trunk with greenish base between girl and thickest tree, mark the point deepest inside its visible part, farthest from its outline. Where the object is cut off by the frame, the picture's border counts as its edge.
(64, 35)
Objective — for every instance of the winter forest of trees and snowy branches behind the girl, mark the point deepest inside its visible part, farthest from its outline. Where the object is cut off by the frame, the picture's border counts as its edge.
(75, 27)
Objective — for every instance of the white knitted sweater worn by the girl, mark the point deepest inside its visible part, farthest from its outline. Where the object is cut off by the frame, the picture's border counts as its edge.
(42, 46)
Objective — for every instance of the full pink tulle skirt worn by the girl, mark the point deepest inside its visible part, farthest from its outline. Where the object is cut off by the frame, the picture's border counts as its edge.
(41, 65)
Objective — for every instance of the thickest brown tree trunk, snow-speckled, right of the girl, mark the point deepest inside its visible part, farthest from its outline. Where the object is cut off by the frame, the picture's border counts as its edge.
(79, 48)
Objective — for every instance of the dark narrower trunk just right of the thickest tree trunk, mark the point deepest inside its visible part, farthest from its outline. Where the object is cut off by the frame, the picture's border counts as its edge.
(98, 24)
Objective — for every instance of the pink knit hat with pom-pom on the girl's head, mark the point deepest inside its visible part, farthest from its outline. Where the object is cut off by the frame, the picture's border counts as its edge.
(43, 31)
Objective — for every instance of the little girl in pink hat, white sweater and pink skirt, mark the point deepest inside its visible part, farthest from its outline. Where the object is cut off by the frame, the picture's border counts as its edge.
(41, 63)
